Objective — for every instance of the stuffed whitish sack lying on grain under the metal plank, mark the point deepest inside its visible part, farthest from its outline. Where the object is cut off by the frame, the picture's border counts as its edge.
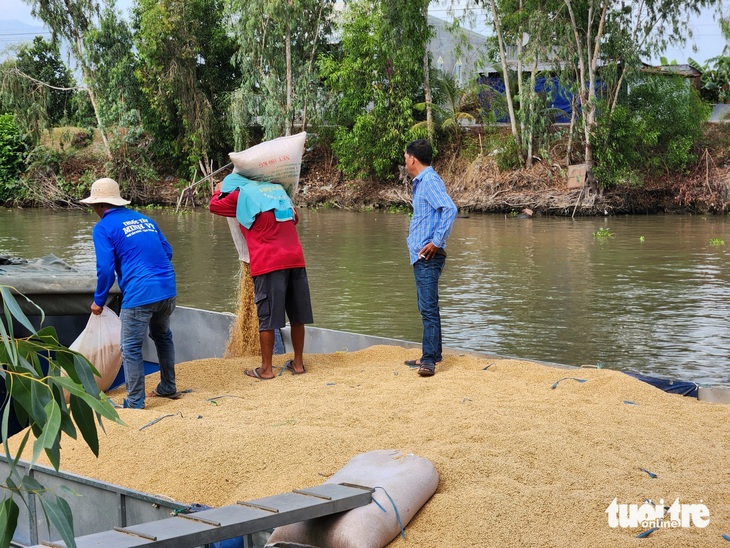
(408, 479)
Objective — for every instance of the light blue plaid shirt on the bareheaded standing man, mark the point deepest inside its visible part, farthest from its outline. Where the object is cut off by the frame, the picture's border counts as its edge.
(433, 213)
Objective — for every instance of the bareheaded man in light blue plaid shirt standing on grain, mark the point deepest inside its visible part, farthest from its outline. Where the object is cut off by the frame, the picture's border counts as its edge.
(433, 217)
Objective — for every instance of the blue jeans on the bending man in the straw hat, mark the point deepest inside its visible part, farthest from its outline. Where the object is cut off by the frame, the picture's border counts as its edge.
(135, 323)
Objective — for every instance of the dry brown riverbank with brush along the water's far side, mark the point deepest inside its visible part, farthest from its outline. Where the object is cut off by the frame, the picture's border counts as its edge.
(472, 177)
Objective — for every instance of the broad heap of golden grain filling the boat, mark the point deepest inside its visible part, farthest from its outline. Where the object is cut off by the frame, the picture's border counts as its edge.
(520, 463)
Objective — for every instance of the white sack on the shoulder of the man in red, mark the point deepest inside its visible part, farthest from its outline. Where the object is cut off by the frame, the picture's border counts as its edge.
(277, 161)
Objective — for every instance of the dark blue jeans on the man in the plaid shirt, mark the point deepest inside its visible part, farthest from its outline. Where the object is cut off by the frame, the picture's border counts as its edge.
(427, 273)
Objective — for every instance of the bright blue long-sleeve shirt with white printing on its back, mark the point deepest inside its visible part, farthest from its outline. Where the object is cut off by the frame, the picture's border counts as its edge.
(131, 247)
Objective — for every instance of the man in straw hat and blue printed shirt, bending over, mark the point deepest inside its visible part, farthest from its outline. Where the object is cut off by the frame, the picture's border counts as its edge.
(130, 247)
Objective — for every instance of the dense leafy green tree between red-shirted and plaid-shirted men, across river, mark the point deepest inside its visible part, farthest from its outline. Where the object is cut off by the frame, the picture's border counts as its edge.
(377, 76)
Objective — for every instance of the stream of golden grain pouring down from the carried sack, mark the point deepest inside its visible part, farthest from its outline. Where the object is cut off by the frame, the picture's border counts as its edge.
(244, 336)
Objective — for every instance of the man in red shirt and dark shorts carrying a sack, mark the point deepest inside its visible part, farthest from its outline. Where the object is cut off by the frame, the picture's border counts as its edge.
(268, 222)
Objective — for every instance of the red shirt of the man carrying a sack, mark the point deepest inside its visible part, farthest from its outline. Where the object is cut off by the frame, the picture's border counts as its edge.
(272, 245)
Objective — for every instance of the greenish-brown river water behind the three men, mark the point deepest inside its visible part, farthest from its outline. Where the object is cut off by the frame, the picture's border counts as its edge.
(653, 297)
